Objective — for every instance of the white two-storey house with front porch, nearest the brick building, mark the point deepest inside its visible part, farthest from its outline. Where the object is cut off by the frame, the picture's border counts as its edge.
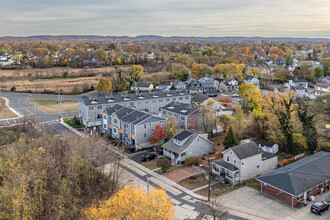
(243, 162)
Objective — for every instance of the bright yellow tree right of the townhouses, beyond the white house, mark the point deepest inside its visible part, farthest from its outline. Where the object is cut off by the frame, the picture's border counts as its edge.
(250, 94)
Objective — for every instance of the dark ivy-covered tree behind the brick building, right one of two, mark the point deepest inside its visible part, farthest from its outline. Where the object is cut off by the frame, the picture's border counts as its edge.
(309, 130)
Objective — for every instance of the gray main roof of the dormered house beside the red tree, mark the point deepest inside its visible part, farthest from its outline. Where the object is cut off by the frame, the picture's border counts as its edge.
(171, 146)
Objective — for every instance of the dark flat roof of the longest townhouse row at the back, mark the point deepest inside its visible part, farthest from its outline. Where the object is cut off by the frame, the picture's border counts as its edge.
(98, 98)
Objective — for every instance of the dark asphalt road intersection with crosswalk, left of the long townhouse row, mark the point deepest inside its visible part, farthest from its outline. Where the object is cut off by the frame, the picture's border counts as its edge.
(19, 102)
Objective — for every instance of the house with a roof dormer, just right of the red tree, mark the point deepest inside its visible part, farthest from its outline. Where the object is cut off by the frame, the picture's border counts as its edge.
(185, 144)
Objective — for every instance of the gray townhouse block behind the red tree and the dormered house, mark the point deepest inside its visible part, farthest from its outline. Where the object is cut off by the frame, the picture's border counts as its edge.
(186, 114)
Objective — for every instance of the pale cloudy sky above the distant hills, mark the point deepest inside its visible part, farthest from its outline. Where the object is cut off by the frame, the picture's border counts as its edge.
(203, 18)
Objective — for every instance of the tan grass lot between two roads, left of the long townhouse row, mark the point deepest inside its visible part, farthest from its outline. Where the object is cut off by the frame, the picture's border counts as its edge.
(51, 105)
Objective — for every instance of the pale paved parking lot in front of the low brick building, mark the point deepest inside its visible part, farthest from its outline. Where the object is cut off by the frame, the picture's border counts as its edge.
(254, 200)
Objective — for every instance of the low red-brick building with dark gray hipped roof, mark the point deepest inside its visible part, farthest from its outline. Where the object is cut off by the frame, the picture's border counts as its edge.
(298, 181)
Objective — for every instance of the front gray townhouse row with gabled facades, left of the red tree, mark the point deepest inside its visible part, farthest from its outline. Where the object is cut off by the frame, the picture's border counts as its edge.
(131, 126)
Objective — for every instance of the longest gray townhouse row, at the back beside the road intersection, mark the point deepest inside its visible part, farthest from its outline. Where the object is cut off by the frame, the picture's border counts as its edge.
(91, 106)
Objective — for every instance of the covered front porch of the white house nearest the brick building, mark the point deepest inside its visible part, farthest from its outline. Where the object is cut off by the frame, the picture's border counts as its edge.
(225, 170)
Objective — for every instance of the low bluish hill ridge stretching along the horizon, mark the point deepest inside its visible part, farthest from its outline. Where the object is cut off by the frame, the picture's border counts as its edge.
(149, 37)
